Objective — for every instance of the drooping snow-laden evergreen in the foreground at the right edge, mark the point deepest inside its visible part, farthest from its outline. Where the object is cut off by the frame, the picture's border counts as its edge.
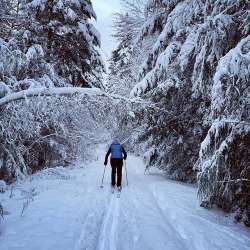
(224, 155)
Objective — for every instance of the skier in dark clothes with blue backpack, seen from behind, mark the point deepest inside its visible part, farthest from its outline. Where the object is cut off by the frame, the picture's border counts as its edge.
(118, 153)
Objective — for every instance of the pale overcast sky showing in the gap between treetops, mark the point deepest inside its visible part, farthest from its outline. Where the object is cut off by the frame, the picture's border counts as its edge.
(104, 10)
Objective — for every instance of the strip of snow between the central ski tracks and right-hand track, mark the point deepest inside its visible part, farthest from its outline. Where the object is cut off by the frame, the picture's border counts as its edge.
(154, 231)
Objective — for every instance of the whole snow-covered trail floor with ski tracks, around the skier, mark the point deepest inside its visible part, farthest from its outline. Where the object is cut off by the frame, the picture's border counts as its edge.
(64, 209)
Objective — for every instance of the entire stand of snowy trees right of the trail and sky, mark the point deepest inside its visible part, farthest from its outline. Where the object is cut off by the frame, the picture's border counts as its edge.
(194, 69)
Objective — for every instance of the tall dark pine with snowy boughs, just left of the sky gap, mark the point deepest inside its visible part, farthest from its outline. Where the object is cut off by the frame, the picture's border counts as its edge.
(69, 41)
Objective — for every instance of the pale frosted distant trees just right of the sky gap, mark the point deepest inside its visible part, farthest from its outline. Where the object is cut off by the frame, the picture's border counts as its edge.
(127, 58)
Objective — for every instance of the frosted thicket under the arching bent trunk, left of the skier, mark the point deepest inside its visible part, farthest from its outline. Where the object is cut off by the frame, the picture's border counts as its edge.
(47, 131)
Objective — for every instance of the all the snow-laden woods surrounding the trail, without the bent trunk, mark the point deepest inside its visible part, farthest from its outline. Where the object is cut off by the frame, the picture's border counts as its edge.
(178, 83)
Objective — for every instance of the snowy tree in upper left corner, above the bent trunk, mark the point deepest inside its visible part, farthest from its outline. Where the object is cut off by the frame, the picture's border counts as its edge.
(23, 64)
